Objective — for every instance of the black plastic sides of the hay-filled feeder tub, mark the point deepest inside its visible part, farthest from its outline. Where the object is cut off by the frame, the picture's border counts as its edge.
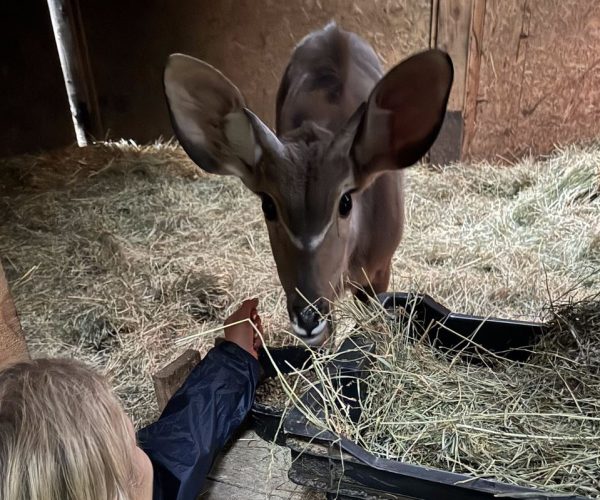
(343, 469)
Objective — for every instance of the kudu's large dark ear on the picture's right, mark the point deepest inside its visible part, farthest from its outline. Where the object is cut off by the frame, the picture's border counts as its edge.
(404, 114)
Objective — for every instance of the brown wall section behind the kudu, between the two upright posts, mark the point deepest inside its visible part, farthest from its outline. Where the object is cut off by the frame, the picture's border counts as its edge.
(249, 40)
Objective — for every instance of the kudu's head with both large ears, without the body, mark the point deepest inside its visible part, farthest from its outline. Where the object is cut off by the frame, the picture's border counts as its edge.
(310, 180)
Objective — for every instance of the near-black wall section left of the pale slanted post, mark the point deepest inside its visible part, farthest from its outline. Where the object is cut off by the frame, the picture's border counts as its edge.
(34, 112)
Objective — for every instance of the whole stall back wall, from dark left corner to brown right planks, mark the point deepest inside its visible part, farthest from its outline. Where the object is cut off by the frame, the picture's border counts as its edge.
(527, 72)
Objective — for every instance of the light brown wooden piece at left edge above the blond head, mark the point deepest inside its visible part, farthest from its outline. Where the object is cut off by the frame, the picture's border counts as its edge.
(13, 346)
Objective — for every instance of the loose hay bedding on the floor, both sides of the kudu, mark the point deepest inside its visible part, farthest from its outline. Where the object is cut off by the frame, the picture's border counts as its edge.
(114, 251)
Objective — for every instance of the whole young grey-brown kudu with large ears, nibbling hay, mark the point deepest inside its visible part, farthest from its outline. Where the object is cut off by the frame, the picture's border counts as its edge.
(330, 179)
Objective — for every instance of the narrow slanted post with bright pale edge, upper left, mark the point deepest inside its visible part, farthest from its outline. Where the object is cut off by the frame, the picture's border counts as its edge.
(74, 61)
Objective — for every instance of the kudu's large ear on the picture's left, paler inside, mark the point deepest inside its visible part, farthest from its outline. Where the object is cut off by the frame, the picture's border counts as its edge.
(210, 119)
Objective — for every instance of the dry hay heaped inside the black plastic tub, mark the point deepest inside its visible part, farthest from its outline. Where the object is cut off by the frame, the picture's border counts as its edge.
(534, 424)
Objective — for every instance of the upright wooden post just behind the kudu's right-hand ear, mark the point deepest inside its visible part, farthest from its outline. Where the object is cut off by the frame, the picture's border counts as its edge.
(454, 23)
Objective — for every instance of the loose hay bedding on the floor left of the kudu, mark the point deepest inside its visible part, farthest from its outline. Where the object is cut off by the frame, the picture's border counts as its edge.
(114, 251)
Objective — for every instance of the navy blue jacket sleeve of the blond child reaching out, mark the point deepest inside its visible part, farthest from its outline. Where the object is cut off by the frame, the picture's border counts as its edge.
(198, 420)
